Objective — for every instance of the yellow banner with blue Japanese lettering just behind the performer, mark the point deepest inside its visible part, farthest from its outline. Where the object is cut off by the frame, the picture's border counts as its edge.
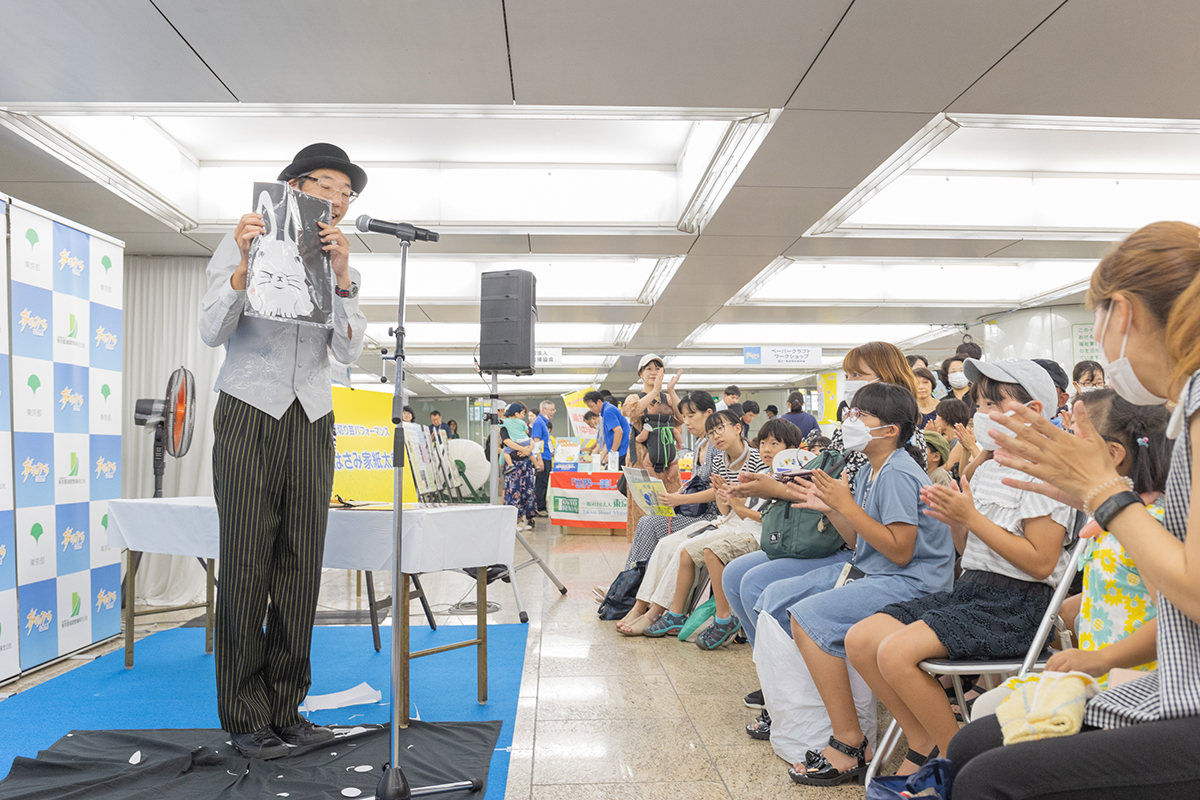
(363, 464)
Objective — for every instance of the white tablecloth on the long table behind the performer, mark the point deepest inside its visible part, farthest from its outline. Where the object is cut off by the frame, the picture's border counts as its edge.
(449, 538)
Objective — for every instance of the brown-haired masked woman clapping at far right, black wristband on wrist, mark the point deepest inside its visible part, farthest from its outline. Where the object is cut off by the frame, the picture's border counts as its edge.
(1138, 739)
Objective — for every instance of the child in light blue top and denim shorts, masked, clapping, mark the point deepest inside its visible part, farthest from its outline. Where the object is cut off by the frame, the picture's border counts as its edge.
(901, 554)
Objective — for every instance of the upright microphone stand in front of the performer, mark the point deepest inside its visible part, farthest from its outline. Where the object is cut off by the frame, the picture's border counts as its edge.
(394, 786)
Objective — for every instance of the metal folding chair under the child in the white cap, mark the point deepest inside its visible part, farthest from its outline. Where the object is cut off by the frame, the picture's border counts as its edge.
(1036, 659)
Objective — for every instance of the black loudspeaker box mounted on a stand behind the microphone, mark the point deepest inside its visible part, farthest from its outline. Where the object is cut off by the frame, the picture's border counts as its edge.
(508, 311)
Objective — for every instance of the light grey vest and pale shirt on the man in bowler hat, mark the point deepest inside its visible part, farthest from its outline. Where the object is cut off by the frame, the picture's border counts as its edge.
(271, 364)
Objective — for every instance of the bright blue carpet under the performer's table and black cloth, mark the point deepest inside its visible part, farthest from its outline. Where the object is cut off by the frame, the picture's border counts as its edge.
(173, 685)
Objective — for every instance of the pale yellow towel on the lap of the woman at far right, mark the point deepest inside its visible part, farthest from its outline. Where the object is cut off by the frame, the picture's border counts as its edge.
(1049, 707)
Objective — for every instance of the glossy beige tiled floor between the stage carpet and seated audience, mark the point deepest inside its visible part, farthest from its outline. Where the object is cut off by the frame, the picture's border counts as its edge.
(601, 715)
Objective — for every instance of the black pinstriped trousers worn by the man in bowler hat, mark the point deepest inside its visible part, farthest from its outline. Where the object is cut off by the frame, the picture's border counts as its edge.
(273, 482)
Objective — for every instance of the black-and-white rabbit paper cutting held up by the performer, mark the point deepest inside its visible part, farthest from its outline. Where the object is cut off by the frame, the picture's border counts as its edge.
(290, 278)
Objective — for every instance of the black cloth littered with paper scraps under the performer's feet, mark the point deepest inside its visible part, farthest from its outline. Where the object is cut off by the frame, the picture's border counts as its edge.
(200, 765)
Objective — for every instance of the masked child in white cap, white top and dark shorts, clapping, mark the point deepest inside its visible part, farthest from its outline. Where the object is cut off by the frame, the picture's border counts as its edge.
(1013, 556)
